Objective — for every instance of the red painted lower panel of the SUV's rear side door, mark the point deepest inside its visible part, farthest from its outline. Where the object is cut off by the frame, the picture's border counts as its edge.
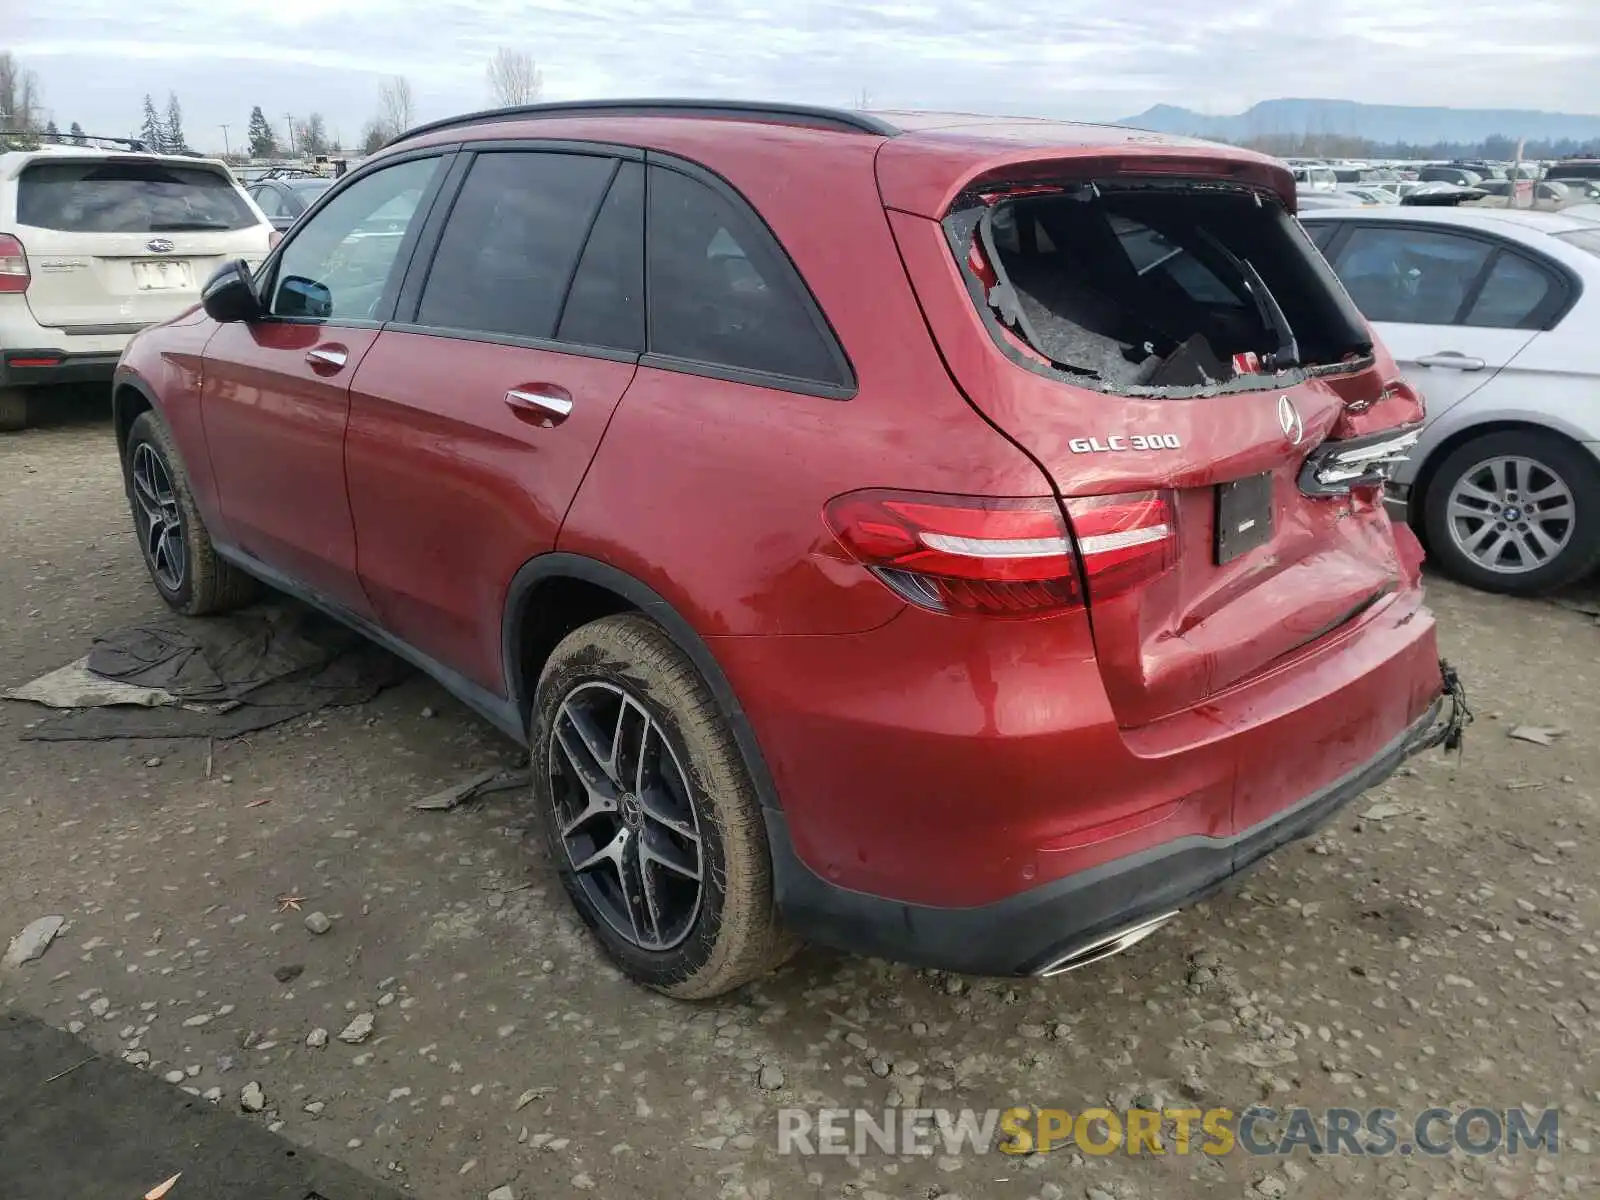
(452, 490)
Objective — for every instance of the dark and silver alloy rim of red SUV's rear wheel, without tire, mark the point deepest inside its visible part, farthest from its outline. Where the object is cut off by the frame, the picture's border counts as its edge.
(626, 817)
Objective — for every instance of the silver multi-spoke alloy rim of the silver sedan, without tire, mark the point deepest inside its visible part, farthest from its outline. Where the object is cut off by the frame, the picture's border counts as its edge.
(1511, 514)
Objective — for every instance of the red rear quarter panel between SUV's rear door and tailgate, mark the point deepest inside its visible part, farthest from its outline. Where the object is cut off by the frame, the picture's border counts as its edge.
(713, 492)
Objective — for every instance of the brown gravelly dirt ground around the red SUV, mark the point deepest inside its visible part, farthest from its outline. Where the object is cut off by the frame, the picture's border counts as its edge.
(1436, 953)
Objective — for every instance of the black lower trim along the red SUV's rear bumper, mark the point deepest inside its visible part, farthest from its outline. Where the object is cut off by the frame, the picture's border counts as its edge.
(1025, 934)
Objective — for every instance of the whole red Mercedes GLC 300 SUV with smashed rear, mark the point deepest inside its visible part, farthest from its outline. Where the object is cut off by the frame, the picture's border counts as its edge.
(938, 537)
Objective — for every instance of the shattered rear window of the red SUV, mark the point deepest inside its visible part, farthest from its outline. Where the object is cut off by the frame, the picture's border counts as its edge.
(1137, 287)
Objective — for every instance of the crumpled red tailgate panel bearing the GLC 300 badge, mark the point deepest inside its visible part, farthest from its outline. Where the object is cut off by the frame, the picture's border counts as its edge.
(1202, 626)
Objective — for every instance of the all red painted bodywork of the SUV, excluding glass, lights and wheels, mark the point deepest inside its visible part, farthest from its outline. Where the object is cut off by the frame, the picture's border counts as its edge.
(919, 758)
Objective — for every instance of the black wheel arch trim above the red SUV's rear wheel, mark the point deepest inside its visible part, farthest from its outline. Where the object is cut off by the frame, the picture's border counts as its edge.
(566, 566)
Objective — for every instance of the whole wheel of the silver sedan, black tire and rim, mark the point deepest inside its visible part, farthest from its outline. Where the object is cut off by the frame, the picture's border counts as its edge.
(1522, 482)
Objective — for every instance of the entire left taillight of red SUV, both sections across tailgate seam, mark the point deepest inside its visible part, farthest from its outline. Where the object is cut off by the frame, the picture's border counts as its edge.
(1006, 558)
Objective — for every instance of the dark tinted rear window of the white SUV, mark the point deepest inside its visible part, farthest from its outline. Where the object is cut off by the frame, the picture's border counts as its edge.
(110, 198)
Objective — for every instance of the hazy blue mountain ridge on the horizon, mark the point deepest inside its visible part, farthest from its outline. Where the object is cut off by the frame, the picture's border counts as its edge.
(1375, 122)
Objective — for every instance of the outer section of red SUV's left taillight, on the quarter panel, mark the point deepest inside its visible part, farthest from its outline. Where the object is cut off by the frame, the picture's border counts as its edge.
(962, 554)
